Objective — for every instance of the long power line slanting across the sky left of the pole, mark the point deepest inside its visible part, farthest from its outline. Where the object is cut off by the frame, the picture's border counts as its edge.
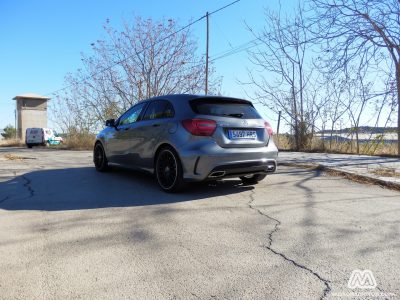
(160, 41)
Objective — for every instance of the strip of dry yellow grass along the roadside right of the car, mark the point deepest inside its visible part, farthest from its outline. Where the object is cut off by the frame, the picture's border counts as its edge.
(317, 145)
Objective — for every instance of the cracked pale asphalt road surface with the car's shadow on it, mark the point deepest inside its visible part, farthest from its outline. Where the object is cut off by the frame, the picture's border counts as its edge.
(68, 232)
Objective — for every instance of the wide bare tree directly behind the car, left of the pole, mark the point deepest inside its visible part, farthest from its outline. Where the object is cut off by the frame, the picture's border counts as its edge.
(147, 58)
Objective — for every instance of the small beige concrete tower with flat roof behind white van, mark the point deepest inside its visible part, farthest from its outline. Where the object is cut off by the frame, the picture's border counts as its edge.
(31, 112)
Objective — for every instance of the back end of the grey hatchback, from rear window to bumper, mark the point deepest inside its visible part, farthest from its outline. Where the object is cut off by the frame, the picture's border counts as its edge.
(225, 137)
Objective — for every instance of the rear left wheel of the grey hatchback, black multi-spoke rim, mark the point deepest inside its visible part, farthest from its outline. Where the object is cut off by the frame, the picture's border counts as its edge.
(168, 171)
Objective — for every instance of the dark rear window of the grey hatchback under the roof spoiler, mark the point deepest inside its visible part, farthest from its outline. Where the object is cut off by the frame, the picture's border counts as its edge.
(225, 107)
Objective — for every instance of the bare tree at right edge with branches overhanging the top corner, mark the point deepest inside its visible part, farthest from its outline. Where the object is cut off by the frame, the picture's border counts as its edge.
(362, 32)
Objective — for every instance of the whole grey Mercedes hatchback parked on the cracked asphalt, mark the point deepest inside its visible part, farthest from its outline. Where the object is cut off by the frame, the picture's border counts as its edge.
(186, 138)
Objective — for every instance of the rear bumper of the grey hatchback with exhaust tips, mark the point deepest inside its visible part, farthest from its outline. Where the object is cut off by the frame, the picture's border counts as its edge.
(208, 161)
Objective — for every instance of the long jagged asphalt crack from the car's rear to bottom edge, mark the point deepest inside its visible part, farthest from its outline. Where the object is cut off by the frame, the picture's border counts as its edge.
(269, 247)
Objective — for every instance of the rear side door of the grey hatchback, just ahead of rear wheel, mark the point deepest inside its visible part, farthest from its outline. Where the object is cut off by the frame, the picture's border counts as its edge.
(153, 127)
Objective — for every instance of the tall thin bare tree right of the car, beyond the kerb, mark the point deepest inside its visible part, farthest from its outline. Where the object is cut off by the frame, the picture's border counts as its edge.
(284, 77)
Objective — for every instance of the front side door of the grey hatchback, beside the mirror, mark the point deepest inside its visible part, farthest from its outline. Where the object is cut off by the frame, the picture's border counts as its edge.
(120, 141)
